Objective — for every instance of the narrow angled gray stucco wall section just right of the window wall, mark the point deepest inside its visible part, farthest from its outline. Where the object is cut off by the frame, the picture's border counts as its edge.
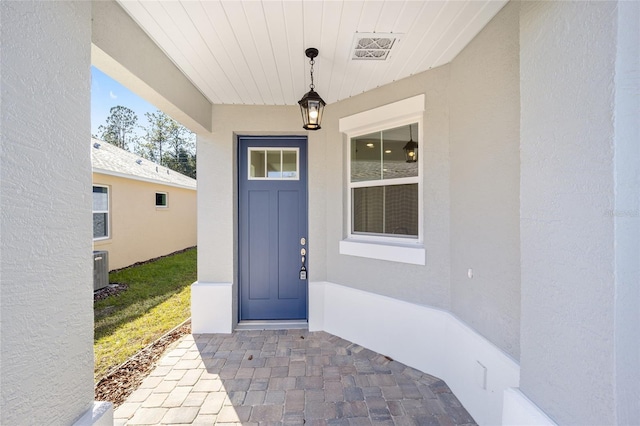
(485, 182)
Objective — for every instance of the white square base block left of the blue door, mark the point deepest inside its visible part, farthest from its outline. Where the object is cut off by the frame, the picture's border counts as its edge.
(211, 308)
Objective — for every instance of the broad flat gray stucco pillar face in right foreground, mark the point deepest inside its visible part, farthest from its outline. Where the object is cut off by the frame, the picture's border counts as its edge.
(567, 63)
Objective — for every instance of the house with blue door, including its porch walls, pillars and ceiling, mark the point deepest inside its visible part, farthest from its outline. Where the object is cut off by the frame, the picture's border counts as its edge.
(515, 275)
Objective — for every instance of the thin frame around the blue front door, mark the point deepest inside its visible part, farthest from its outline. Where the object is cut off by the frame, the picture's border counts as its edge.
(303, 170)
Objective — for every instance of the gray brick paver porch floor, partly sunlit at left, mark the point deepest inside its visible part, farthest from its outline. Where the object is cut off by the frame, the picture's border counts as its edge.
(286, 377)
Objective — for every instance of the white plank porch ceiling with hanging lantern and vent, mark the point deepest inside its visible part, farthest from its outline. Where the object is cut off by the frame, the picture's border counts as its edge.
(252, 52)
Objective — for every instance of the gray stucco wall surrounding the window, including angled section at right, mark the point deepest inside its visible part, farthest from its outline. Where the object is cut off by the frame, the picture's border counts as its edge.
(470, 187)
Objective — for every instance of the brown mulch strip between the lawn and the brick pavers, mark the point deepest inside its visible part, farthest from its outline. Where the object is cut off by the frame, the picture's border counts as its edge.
(121, 381)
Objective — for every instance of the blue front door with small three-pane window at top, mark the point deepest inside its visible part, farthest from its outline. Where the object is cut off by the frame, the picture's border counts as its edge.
(272, 227)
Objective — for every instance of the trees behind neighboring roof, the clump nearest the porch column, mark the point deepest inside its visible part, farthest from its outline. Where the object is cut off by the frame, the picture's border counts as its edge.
(169, 144)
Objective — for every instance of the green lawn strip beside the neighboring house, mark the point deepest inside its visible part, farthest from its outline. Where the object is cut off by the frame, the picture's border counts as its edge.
(157, 300)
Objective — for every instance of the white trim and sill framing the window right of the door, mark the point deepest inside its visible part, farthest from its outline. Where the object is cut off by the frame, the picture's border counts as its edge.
(394, 249)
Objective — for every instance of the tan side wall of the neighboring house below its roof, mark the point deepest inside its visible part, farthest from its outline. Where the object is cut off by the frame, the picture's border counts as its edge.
(138, 229)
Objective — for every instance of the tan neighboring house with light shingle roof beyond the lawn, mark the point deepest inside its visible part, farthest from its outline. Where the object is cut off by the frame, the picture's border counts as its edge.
(140, 210)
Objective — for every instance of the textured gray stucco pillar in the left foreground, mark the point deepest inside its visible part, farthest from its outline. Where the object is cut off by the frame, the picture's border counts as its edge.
(46, 326)
